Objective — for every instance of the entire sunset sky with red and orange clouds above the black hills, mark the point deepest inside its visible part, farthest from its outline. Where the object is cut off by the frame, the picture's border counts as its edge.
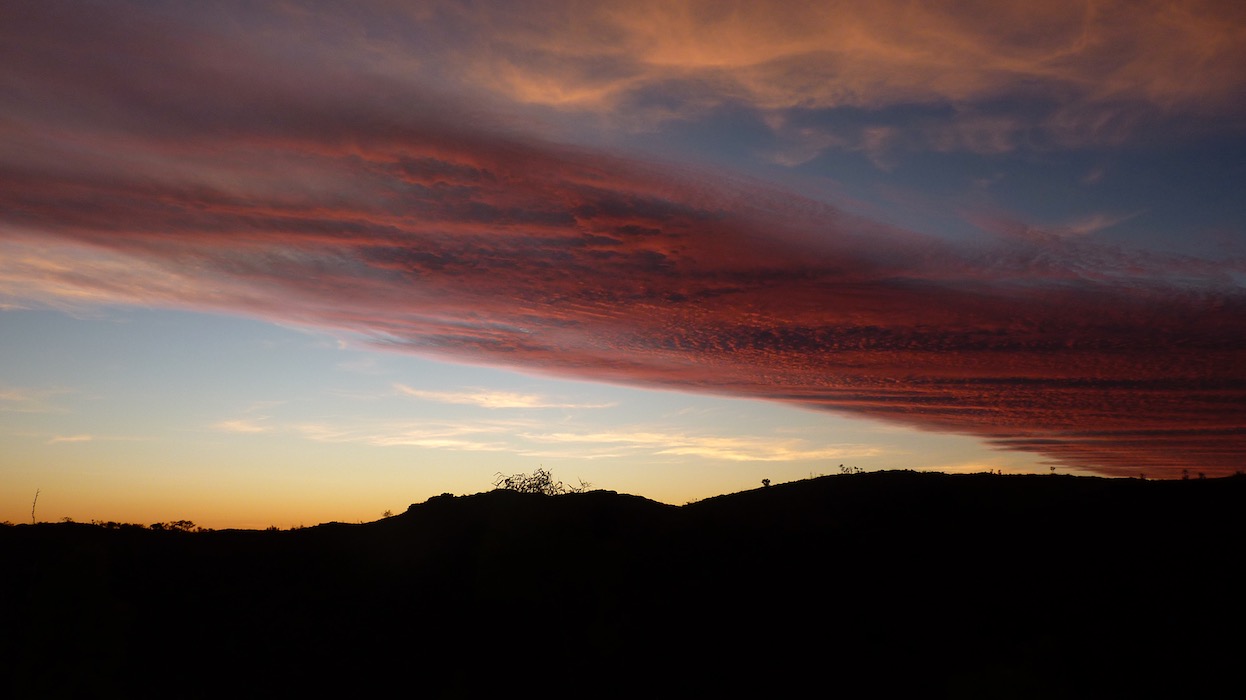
(286, 263)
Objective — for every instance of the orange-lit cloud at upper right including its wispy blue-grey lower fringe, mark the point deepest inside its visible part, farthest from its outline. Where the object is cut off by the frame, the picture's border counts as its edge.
(985, 77)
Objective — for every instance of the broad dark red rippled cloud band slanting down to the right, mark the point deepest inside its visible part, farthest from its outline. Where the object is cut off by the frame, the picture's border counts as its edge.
(256, 195)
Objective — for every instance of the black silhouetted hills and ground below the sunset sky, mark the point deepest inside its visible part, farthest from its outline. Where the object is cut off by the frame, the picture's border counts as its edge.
(875, 585)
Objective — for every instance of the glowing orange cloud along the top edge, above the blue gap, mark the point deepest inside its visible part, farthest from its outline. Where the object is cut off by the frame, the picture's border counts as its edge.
(779, 55)
